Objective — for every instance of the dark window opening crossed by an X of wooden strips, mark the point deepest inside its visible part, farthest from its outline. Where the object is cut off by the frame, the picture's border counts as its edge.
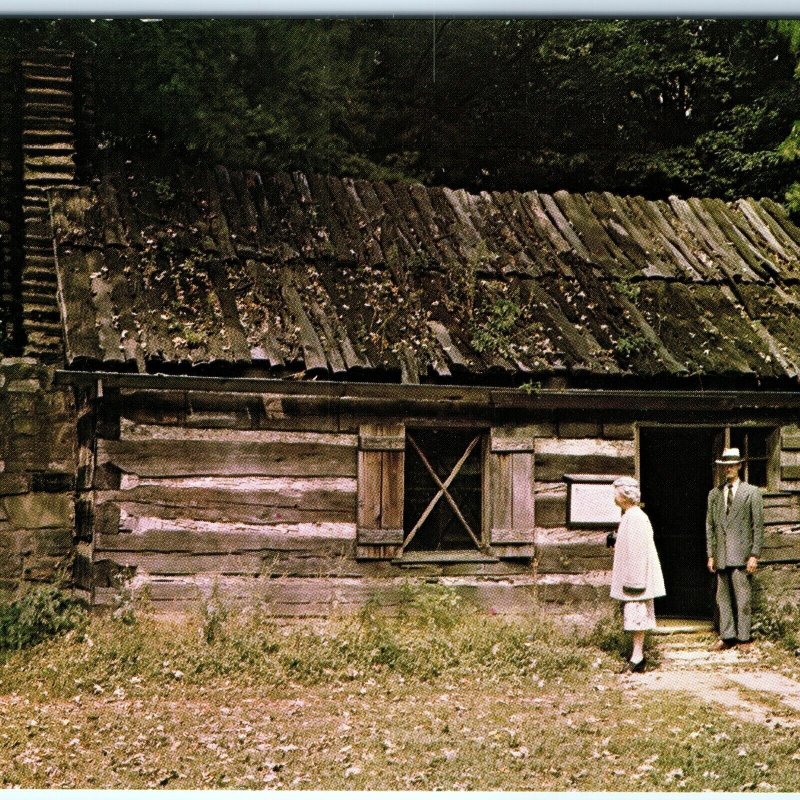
(442, 490)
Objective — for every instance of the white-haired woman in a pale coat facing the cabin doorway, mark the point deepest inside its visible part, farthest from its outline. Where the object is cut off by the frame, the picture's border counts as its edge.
(636, 576)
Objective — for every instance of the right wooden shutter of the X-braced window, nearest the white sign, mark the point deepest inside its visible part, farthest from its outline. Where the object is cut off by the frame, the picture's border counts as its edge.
(508, 489)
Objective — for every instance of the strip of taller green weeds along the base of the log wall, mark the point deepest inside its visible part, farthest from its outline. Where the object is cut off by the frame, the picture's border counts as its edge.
(432, 632)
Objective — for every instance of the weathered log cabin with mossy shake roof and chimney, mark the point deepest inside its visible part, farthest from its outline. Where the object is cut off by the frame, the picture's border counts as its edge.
(305, 390)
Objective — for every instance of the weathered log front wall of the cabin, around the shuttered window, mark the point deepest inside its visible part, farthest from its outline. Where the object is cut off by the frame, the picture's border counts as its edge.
(187, 490)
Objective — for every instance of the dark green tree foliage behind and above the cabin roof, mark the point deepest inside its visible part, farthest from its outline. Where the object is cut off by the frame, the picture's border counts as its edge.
(649, 106)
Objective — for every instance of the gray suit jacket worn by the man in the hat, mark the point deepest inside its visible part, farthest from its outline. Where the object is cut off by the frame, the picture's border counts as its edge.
(733, 537)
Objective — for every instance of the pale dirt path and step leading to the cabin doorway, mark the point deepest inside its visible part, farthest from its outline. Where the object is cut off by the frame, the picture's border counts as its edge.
(739, 681)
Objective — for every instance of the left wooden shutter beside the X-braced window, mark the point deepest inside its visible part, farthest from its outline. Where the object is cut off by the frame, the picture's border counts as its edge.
(381, 465)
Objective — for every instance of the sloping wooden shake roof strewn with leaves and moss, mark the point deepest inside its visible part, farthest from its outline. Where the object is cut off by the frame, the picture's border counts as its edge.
(329, 276)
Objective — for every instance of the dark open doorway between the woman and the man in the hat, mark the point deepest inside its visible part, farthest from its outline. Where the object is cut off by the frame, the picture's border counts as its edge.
(676, 476)
